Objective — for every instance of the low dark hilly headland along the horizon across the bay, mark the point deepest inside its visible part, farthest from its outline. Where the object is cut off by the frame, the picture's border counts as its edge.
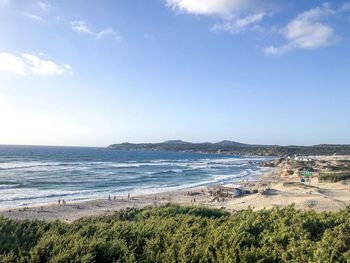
(232, 147)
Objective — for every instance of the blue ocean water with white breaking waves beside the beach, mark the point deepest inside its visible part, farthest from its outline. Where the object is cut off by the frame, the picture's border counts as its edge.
(39, 175)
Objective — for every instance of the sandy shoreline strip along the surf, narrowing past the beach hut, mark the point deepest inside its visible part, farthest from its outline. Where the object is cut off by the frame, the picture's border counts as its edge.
(77, 209)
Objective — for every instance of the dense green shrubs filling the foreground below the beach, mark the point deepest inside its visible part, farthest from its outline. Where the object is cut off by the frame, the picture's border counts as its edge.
(182, 234)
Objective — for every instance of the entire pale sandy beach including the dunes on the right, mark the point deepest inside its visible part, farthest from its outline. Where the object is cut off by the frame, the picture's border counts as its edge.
(275, 189)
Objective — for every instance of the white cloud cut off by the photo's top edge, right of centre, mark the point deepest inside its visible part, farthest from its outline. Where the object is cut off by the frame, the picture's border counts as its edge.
(236, 15)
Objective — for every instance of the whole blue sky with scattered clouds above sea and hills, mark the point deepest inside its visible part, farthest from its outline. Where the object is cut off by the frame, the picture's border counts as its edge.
(93, 73)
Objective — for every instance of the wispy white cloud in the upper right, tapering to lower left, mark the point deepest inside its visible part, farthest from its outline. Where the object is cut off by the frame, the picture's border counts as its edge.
(306, 31)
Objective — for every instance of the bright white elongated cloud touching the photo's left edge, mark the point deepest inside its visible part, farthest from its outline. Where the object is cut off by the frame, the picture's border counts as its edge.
(30, 64)
